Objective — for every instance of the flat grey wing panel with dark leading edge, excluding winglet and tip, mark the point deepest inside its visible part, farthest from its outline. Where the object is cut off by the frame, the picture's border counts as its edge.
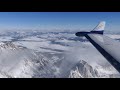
(108, 47)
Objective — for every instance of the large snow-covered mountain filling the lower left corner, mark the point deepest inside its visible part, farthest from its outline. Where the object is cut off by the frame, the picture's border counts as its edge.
(18, 61)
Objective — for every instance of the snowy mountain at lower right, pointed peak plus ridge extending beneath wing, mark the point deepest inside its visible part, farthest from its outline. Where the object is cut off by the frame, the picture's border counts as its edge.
(83, 70)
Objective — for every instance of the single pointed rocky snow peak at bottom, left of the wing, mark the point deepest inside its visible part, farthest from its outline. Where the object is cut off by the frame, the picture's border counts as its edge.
(83, 69)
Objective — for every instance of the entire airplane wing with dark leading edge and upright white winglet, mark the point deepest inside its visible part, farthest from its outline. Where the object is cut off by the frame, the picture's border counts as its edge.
(108, 47)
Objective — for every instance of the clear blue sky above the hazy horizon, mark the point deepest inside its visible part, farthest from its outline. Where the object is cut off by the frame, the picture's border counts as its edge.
(58, 20)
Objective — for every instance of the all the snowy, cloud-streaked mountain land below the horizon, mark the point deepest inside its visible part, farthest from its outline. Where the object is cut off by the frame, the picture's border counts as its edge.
(40, 54)
